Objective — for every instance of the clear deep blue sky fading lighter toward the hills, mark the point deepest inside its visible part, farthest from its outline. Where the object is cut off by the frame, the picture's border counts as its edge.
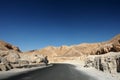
(35, 24)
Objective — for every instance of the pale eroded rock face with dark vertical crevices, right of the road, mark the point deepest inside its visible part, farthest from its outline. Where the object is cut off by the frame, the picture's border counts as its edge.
(109, 62)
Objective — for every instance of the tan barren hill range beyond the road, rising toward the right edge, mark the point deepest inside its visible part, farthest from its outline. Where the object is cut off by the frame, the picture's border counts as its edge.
(112, 45)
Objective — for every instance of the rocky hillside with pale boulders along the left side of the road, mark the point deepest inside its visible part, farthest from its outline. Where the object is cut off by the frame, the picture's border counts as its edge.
(12, 57)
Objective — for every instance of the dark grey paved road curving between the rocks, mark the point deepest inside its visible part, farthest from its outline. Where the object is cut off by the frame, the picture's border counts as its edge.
(56, 72)
